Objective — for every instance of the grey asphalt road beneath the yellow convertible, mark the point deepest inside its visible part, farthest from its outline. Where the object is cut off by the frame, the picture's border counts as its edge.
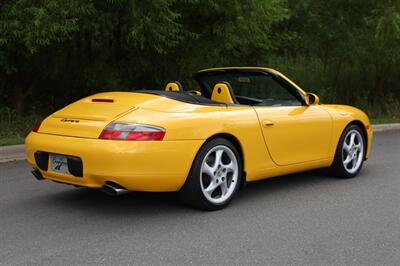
(306, 218)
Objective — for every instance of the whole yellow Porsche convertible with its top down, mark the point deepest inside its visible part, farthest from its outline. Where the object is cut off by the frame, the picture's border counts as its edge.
(236, 125)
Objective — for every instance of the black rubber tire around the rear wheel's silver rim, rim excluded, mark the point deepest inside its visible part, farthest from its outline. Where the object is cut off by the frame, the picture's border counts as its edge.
(191, 193)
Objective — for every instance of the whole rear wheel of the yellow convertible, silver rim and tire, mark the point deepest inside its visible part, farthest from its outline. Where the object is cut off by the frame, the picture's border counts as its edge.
(215, 176)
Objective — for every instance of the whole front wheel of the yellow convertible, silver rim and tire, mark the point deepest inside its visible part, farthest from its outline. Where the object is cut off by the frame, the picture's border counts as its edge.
(350, 153)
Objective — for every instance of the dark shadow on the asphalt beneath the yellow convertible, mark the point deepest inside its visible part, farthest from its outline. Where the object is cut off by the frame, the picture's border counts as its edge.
(146, 202)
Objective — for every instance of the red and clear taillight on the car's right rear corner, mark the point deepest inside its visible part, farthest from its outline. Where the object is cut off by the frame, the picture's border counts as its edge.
(124, 131)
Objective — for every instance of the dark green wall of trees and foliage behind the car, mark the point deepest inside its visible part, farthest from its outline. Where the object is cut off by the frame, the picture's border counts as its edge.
(55, 51)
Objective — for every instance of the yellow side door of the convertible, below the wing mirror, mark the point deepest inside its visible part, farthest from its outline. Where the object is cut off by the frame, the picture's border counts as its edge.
(295, 134)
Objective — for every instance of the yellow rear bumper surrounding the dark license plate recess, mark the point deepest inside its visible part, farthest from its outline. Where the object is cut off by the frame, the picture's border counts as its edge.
(135, 165)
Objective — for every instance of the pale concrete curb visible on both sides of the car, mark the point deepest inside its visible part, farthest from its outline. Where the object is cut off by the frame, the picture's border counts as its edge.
(17, 152)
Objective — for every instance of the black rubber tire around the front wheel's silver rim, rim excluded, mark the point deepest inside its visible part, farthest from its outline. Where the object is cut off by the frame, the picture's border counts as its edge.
(338, 169)
